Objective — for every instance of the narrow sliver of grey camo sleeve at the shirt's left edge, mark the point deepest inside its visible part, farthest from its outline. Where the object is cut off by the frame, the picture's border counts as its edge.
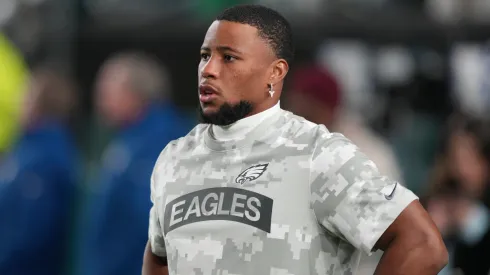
(155, 234)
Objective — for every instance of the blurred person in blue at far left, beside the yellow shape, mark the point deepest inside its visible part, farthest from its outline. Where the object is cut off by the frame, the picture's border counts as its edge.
(37, 181)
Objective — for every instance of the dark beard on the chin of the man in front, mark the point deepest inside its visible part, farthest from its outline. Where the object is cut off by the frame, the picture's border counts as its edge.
(227, 113)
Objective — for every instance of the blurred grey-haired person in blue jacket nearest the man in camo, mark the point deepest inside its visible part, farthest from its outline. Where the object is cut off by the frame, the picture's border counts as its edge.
(132, 96)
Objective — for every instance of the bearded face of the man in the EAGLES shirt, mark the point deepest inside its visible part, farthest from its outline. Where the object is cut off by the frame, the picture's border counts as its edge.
(233, 73)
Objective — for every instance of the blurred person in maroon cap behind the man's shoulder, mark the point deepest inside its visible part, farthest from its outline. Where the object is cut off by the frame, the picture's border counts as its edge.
(316, 95)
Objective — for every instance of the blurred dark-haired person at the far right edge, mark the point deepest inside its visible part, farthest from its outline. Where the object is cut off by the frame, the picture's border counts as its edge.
(459, 196)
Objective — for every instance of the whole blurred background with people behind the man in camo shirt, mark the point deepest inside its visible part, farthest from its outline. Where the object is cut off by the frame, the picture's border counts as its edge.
(92, 90)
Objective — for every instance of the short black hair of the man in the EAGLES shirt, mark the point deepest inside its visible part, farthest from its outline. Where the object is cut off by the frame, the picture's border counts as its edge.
(271, 26)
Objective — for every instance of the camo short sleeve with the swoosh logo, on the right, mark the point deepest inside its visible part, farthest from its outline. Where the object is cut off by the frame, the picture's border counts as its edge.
(349, 197)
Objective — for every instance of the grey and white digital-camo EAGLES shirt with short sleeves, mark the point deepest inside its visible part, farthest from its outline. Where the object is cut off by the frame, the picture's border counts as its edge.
(310, 204)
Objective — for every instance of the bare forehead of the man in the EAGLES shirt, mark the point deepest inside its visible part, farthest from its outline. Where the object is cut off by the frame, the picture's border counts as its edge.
(232, 34)
